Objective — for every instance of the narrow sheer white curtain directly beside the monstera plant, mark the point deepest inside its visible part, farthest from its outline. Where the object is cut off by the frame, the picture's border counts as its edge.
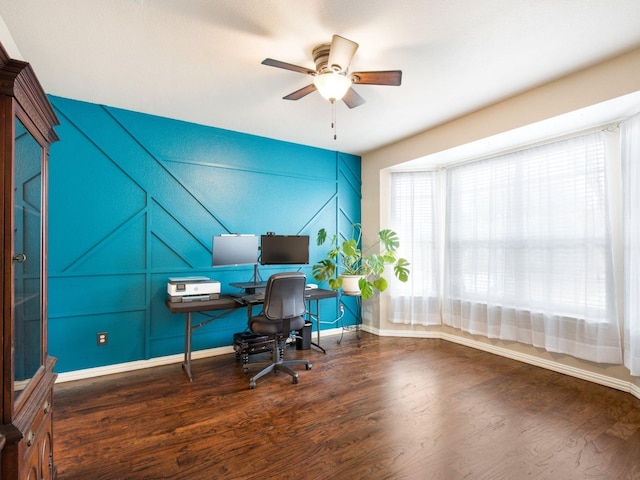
(414, 217)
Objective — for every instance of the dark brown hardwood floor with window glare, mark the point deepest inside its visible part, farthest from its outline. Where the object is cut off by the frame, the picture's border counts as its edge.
(395, 408)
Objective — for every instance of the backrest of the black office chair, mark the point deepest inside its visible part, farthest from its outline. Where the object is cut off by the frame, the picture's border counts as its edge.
(284, 296)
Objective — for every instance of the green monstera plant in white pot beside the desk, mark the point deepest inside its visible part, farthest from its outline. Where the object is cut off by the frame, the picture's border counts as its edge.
(360, 272)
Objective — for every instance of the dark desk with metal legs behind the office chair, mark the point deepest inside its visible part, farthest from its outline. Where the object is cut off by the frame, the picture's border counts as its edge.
(226, 304)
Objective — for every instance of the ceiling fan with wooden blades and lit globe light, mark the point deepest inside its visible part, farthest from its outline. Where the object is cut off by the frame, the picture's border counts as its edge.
(331, 76)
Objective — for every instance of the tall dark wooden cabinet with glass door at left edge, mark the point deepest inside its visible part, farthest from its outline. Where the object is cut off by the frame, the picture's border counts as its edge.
(26, 132)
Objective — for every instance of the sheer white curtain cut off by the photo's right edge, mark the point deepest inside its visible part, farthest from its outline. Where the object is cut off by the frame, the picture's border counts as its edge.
(631, 192)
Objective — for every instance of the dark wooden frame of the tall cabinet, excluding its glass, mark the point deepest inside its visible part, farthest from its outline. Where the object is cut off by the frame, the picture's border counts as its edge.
(26, 419)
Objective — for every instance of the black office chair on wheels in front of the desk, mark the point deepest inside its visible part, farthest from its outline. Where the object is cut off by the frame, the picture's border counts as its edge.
(282, 312)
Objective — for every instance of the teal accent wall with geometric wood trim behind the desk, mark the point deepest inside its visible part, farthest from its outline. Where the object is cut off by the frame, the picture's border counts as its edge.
(135, 199)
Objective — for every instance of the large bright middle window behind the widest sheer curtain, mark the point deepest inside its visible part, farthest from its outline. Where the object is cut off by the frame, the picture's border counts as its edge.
(528, 229)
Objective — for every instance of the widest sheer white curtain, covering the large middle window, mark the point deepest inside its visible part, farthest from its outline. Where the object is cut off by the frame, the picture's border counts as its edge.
(528, 250)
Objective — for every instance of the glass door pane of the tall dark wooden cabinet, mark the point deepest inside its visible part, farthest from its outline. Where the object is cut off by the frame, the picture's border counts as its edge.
(27, 257)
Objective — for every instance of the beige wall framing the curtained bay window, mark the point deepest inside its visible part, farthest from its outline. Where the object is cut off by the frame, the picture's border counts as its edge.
(609, 80)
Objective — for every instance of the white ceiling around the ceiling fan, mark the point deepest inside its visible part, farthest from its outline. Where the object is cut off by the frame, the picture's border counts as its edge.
(199, 60)
